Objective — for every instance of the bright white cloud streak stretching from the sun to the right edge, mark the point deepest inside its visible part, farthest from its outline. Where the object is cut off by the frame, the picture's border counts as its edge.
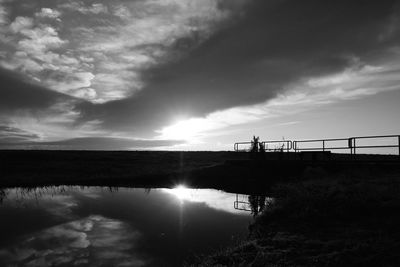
(353, 83)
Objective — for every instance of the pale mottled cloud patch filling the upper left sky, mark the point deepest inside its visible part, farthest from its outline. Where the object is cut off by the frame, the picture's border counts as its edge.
(130, 37)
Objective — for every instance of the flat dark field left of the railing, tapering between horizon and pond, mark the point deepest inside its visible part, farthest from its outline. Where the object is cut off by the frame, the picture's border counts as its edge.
(30, 168)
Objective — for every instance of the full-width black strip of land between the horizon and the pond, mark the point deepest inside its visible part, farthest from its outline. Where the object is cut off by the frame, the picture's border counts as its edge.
(231, 171)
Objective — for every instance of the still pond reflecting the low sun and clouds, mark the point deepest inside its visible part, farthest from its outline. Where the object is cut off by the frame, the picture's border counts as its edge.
(97, 226)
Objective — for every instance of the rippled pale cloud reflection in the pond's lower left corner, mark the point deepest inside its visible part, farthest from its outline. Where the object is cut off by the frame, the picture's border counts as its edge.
(96, 240)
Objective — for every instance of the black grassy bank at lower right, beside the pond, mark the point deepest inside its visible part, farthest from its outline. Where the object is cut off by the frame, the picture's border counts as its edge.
(345, 220)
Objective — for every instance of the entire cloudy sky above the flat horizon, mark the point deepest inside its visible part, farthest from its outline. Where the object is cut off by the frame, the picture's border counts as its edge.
(195, 75)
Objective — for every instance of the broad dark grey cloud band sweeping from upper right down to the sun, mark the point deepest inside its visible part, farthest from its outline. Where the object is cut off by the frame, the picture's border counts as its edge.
(273, 49)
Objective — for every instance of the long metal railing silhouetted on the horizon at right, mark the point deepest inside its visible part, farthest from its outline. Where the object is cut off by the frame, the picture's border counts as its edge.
(351, 144)
